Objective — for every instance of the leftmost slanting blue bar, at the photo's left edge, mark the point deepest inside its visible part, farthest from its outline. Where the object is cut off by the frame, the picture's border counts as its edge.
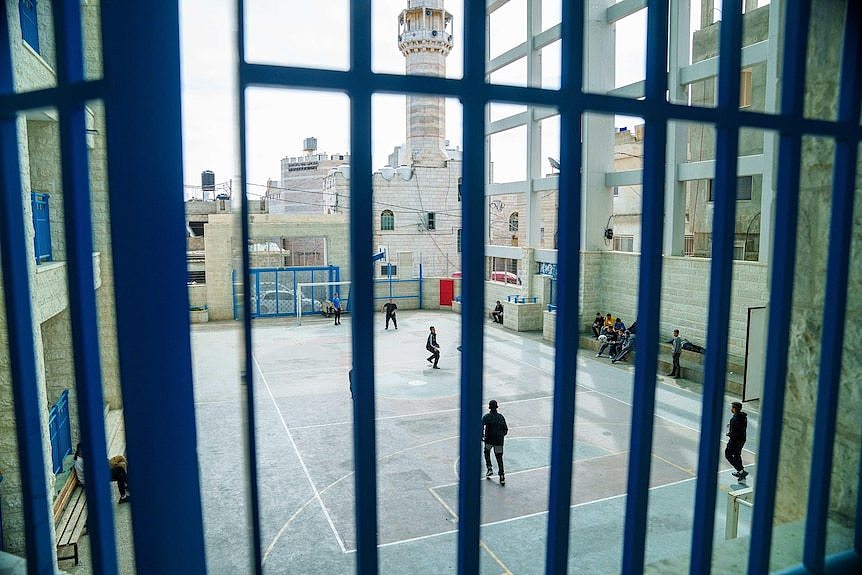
(19, 323)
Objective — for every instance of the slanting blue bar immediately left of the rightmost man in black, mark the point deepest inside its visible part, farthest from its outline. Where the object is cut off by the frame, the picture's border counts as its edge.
(721, 280)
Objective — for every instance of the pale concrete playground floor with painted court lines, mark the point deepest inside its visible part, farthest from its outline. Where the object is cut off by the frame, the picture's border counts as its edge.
(304, 445)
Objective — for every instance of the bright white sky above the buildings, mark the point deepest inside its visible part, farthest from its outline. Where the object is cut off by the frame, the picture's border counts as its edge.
(315, 33)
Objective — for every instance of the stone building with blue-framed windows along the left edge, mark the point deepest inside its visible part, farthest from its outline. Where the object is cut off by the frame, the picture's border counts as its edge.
(34, 65)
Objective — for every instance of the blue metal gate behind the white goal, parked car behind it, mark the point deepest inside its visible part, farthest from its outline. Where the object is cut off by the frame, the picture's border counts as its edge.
(274, 291)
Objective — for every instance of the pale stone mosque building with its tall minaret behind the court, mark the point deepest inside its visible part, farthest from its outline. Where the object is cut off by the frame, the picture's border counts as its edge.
(417, 202)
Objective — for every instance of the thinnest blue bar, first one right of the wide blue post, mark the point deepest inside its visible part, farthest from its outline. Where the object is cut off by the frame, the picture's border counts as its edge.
(252, 489)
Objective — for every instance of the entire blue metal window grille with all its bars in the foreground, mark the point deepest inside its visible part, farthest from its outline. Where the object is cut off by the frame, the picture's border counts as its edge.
(142, 95)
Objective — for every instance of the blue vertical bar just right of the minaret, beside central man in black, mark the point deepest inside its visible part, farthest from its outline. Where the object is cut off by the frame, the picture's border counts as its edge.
(473, 100)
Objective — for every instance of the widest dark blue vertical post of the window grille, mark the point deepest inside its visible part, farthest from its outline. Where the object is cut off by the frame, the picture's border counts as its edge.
(142, 80)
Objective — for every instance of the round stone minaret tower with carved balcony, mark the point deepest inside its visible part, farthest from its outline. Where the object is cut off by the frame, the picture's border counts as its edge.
(425, 39)
